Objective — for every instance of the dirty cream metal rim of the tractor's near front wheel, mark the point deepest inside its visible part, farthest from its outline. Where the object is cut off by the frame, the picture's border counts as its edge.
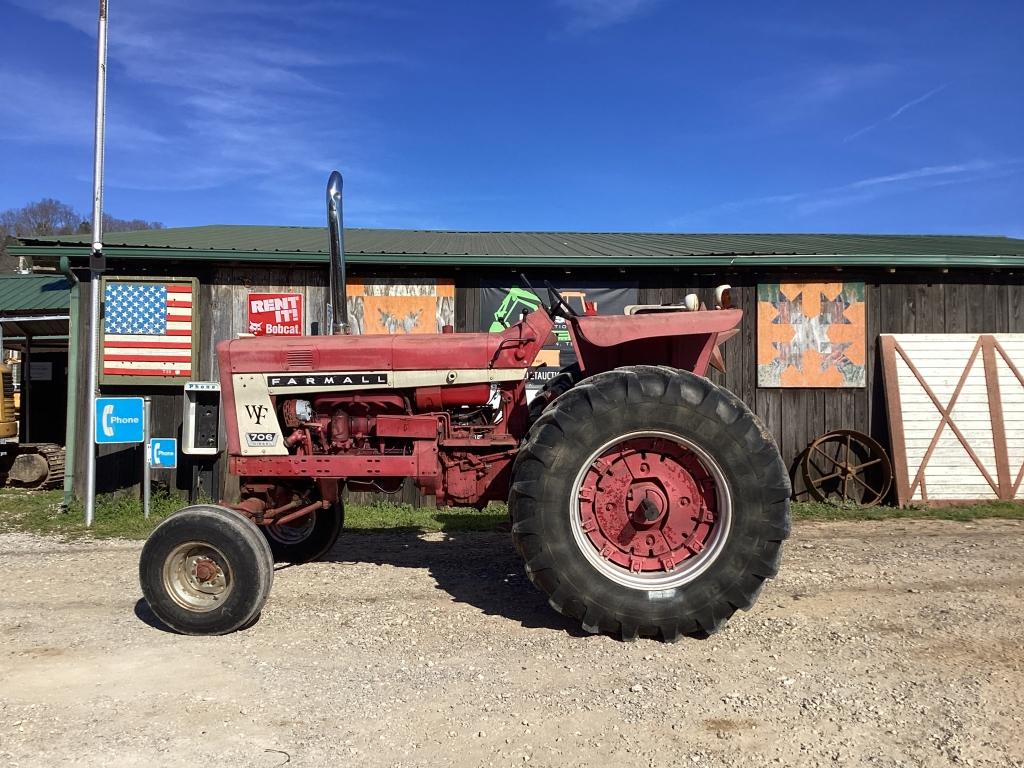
(198, 577)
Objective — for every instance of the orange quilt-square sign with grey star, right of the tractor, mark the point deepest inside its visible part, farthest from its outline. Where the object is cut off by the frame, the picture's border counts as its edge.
(812, 335)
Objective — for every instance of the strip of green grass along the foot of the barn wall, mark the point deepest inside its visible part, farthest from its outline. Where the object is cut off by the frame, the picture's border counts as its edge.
(120, 516)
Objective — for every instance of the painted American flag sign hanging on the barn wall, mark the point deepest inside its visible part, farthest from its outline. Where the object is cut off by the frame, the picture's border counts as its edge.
(149, 330)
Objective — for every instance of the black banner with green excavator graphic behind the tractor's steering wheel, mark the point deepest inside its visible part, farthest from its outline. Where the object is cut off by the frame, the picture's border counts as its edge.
(502, 306)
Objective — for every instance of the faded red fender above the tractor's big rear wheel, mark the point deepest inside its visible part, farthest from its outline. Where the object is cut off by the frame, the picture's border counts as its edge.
(684, 340)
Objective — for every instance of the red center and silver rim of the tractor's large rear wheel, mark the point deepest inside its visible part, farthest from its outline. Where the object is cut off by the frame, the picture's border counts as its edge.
(651, 510)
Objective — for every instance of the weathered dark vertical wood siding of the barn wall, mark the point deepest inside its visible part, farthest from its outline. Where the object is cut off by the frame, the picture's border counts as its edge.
(902, 303)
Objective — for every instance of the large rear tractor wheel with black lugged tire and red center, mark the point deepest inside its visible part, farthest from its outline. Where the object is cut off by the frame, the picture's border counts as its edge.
(649, 502)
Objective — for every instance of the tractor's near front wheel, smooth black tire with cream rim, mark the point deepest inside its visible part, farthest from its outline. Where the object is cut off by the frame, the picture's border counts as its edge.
(206, 571)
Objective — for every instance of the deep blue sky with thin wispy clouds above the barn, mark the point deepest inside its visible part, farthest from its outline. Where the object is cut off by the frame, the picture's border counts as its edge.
(579, 115)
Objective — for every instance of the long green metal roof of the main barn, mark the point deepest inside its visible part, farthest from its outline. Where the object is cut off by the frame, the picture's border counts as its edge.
(415, 247)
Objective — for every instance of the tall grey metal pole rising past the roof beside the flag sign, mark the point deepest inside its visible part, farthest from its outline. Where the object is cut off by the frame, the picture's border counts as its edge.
(97, 267)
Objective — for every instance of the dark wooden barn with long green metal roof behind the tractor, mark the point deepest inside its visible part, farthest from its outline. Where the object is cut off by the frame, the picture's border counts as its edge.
(806, 359)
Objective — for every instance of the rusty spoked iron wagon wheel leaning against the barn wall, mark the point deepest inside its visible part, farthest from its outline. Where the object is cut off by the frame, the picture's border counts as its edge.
(847, 467)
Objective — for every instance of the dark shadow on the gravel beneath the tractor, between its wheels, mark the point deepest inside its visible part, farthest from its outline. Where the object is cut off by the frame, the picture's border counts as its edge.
(480, 569)
